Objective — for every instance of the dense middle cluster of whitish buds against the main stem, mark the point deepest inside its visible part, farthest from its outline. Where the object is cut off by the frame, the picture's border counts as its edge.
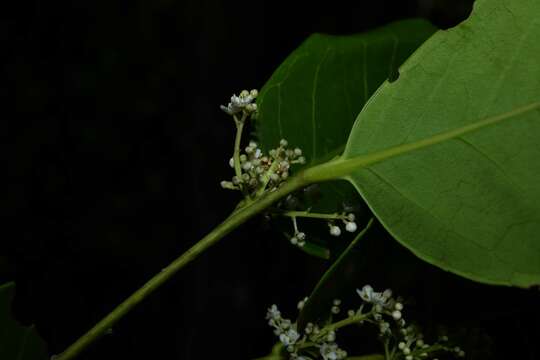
(260, 172)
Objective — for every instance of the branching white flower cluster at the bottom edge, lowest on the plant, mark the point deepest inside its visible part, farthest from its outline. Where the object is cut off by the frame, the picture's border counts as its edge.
(401, 341)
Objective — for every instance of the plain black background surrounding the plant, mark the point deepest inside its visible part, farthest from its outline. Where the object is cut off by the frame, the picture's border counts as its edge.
(115, 148)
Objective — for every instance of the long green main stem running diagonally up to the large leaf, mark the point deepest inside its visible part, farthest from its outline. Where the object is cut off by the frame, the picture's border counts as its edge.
(238, 217)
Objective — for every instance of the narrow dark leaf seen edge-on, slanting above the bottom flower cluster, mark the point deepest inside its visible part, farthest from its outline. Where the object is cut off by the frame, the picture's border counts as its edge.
(320, 300)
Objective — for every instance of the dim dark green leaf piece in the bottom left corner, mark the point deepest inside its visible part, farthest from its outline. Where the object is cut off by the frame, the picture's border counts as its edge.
(16, 341)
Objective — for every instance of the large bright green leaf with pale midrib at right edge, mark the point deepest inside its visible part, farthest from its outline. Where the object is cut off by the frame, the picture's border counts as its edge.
(447, 157)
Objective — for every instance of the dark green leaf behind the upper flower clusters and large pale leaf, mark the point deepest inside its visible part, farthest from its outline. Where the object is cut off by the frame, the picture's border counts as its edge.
(314, 96)
